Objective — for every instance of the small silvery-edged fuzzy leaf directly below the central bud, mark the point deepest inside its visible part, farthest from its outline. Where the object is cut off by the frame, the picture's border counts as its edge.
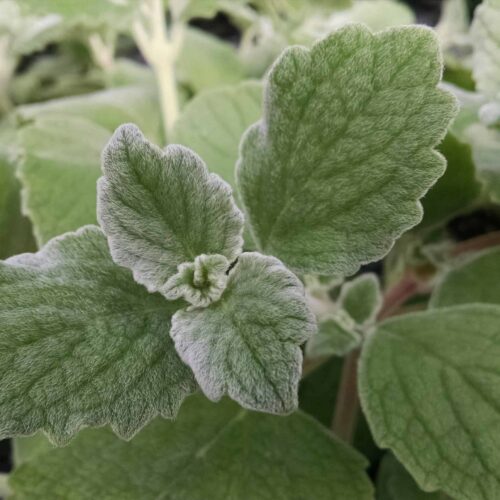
(247, 345)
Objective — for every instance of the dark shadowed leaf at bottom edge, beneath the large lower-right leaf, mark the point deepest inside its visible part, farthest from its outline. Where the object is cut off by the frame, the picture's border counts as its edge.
(394, 483)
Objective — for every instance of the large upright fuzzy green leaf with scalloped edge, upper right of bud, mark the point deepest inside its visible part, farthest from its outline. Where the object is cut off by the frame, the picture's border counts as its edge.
(333, 173)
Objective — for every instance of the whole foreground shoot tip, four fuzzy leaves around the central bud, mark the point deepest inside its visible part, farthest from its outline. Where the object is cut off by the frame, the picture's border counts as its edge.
(329, 178)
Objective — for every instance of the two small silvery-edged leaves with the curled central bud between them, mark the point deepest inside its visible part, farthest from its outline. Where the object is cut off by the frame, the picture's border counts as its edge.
(177, 227)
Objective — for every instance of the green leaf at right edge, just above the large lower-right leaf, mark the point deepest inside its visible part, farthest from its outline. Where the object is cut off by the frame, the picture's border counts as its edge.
(474, 280)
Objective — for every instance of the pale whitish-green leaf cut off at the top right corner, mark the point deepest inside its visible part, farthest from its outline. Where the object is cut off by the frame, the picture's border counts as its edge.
(485, 37)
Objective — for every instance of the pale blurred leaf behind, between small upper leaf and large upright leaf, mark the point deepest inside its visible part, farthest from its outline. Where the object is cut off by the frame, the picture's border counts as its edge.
(213, 122)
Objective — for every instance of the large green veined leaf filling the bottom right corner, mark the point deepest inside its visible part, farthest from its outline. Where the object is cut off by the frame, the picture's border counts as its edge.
(430, 388)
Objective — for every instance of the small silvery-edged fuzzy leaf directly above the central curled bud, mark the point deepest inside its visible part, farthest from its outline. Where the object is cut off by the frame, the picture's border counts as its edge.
(161, 208)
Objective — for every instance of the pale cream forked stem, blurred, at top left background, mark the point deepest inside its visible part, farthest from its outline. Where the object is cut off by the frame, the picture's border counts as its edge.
(160, 47)
